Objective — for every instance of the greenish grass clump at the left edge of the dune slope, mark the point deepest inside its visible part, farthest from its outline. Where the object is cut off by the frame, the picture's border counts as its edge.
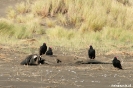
(20, 30)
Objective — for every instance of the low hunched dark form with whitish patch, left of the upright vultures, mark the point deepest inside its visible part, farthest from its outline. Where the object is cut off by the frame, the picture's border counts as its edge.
(32, 59)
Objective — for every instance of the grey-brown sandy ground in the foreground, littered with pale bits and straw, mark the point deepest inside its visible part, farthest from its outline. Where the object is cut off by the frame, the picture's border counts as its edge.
(14, 75)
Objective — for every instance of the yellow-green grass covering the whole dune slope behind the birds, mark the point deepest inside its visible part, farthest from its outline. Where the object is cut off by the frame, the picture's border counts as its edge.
(105, 24)
